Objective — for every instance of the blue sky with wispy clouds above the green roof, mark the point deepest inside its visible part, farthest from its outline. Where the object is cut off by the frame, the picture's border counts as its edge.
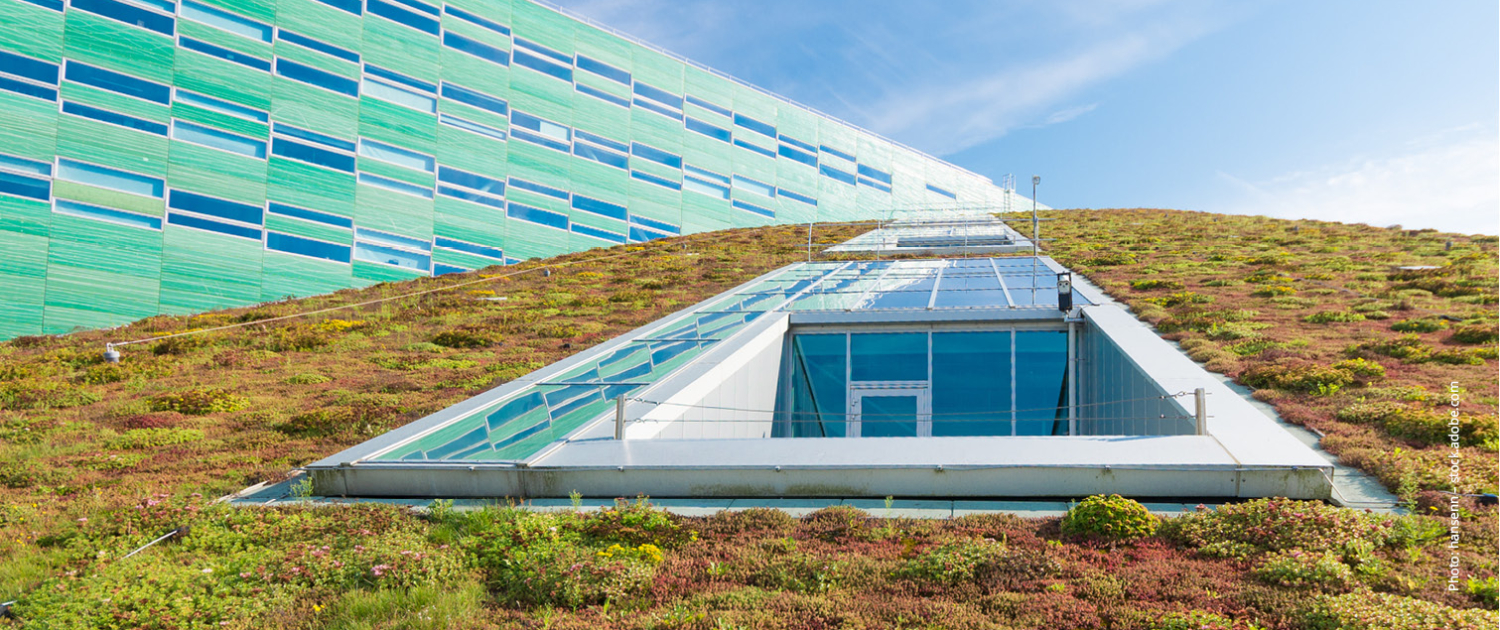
(1364, 112)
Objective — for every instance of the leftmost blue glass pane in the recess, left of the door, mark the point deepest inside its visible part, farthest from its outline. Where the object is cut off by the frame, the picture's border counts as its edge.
(820, 392)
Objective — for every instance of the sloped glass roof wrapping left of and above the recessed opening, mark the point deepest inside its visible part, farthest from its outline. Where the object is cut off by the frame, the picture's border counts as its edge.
(520, 422)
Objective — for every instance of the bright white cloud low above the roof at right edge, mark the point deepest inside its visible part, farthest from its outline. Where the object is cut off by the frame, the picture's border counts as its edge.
(1448, 182)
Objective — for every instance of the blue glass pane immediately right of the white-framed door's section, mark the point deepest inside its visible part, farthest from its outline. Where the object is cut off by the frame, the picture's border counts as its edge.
(973, 383)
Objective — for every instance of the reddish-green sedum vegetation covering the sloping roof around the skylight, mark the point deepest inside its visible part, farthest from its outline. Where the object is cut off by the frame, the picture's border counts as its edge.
(98, 460)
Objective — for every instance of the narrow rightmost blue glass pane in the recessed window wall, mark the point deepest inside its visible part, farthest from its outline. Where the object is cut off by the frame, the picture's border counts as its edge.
(1042, 359)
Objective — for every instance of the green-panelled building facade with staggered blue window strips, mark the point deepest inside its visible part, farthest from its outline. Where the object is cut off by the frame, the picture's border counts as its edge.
(164, 157)
